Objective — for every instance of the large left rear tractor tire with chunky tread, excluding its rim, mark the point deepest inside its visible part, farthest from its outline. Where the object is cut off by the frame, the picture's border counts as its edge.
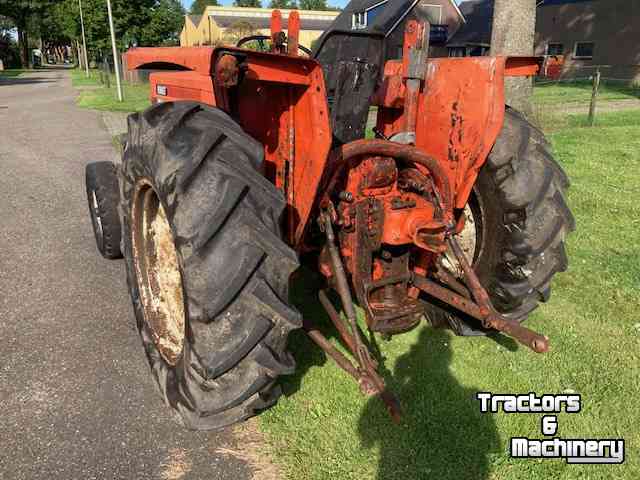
(225, 218)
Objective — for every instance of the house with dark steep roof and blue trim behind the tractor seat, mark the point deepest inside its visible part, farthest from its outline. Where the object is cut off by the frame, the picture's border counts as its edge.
(390, 16)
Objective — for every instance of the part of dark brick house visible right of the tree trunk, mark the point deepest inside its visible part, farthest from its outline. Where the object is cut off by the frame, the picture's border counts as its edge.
(589, 33)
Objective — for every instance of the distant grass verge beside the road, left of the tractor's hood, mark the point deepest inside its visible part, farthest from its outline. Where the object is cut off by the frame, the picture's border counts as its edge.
(96, 96)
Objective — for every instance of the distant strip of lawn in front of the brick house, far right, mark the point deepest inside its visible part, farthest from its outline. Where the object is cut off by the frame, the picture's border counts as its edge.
(560, 93)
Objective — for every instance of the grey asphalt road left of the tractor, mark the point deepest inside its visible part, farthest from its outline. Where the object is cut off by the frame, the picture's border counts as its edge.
(76, 398)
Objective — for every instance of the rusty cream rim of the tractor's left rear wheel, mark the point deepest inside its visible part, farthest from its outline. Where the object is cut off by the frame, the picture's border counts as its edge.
(158, 272)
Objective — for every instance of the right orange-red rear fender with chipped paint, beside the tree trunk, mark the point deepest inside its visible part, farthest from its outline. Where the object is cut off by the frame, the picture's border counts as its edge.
(460, 111)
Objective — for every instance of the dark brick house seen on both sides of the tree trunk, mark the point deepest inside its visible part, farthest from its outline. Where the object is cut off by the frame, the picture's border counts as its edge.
(584, 33)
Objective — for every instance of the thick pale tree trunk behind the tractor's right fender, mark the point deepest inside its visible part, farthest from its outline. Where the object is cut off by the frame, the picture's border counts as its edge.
(514, 23)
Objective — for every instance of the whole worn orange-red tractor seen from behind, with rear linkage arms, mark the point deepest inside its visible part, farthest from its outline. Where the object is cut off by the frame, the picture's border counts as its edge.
(251, 160)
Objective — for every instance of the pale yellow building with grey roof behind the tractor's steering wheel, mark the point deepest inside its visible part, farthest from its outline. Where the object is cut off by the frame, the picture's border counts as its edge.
(225, 25)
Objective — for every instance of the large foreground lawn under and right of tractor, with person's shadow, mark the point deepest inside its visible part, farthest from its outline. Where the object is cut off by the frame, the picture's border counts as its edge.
(323, 428)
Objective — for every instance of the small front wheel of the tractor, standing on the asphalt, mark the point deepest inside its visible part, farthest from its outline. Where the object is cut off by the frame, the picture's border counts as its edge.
(103, 196)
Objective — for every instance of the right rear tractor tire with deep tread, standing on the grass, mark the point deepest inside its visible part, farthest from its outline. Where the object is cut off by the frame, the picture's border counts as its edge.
(525, 219)
